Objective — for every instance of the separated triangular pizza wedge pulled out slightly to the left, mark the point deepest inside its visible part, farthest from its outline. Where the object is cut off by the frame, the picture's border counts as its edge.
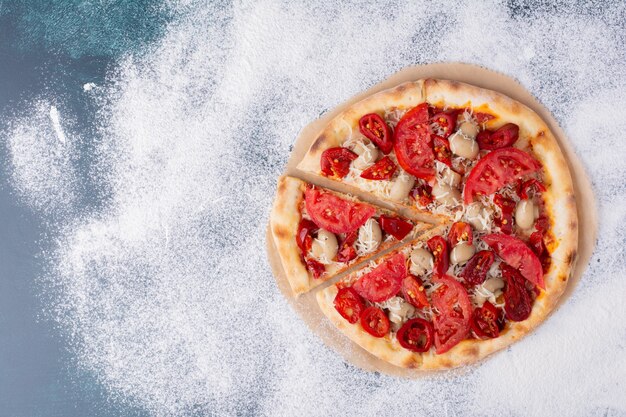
(320, 233)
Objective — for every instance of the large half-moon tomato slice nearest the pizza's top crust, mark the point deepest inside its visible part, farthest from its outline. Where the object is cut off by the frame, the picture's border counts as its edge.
(413, 144)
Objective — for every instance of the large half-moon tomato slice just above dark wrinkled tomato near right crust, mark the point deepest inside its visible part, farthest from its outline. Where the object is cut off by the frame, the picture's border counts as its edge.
(518, 255)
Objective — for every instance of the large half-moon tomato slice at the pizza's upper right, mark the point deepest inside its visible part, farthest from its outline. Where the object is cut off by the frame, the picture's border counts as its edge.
(497, 169)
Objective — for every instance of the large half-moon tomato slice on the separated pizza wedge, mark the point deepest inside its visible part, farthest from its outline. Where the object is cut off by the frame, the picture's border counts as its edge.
(335, 214)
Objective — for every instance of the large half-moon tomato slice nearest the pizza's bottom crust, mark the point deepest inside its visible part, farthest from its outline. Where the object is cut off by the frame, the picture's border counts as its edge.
(453, 313)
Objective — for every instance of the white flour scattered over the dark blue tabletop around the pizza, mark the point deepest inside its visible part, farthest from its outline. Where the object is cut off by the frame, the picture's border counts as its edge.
(166, 295)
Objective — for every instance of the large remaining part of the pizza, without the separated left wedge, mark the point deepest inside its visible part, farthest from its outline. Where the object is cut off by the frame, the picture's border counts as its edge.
(488, 174)
